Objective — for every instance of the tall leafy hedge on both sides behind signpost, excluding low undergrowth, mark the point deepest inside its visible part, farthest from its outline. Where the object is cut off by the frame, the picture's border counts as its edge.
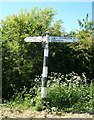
(22, 62)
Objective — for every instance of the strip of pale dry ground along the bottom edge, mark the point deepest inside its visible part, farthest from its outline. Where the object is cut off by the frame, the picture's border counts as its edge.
(8, 113)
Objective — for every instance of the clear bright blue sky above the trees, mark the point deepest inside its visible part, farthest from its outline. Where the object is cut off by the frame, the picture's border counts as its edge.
(68, 12)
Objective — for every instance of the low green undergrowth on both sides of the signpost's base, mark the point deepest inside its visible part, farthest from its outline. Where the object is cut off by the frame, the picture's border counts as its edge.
(69, 93)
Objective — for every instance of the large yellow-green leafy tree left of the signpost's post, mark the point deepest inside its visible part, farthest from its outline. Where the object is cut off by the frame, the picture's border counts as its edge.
(22, 61)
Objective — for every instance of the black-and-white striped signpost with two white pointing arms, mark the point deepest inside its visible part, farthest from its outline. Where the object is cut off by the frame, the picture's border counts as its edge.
(46, 40)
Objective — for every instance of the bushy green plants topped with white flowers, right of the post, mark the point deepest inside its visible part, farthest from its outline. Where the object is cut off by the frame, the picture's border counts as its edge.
(70, 92)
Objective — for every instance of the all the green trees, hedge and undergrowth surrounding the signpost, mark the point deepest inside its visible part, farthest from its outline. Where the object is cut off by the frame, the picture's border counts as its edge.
(22, 63)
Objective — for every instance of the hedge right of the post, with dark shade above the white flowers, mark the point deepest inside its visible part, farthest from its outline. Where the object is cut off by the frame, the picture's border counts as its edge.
(77, 57)
